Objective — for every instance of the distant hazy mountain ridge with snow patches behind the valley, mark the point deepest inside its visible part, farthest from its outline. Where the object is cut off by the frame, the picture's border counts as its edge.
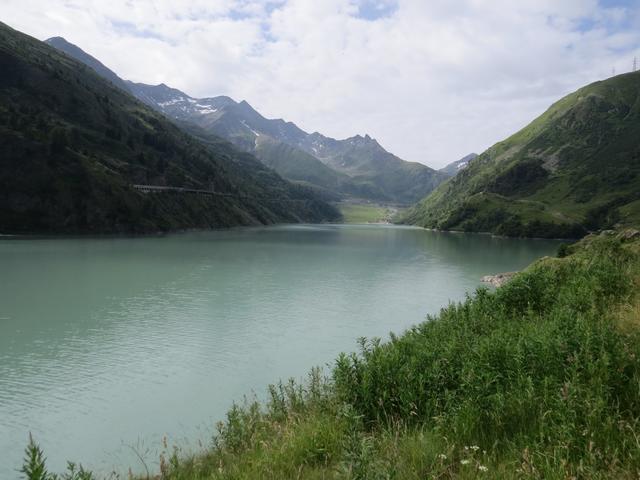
(355, 167)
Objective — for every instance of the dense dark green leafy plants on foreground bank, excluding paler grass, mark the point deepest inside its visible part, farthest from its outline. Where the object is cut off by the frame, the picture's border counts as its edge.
(537, 366)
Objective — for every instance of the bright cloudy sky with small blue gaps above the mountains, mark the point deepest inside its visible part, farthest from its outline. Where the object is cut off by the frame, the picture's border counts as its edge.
(431, 80)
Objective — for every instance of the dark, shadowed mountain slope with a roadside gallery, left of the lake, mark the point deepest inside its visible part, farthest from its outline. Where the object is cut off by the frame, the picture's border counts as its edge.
(74, 145)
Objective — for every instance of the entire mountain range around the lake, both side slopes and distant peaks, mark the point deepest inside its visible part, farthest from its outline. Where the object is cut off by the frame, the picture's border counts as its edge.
(78, 141)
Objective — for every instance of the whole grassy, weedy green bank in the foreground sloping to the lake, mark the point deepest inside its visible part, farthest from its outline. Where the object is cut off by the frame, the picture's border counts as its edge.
(537, 379)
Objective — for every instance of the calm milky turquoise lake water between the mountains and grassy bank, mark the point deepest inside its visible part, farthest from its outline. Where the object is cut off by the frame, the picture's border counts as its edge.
(109, 344)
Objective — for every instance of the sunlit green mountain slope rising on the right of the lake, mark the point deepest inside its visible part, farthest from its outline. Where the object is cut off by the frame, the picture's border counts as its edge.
(574, 169)
